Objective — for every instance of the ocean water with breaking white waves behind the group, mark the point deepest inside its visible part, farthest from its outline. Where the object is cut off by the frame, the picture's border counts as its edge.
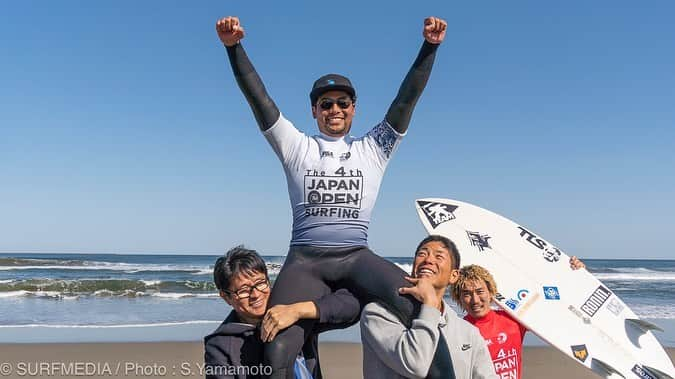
(107, 297)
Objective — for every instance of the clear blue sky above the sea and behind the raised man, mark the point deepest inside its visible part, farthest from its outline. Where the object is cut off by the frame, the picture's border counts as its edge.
(122, 129)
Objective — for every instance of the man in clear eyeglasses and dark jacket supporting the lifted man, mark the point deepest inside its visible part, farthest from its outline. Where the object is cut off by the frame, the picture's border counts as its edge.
(235, 349)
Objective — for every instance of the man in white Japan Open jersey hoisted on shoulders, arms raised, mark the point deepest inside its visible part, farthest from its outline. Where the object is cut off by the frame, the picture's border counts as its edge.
(333, 181)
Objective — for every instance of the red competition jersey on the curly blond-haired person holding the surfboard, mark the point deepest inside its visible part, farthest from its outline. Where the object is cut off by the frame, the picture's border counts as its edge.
(504, 337)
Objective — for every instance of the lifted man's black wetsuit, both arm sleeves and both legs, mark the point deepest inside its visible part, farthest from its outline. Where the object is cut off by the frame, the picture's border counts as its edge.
(311, 271)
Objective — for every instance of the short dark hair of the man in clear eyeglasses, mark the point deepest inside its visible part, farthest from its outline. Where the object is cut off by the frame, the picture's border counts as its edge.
(237, 260)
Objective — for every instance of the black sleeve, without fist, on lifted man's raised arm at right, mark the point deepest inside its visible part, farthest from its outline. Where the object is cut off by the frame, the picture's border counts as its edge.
(401, 108)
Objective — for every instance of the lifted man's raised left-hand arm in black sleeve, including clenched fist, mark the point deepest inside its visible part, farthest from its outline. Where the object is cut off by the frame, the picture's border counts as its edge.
(265, 111)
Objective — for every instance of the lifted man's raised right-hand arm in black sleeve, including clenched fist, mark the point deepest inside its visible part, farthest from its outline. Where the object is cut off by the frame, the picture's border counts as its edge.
(400, 111)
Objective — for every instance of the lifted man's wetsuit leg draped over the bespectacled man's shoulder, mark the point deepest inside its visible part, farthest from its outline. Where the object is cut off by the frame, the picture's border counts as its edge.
(296, 282)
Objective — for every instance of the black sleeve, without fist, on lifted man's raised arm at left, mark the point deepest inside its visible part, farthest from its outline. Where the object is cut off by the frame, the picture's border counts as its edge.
(265, 111)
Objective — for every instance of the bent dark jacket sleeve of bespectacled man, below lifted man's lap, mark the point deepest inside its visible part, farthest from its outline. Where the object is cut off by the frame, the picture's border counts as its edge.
(337, 310)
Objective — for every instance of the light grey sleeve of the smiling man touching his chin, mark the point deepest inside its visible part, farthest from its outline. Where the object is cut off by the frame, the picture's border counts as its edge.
(409, 352)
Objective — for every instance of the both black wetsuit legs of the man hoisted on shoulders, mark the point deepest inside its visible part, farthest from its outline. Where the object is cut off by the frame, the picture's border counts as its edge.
(307, 275)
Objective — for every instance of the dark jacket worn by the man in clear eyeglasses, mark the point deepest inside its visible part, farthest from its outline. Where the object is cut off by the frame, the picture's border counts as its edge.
(234, 349)
